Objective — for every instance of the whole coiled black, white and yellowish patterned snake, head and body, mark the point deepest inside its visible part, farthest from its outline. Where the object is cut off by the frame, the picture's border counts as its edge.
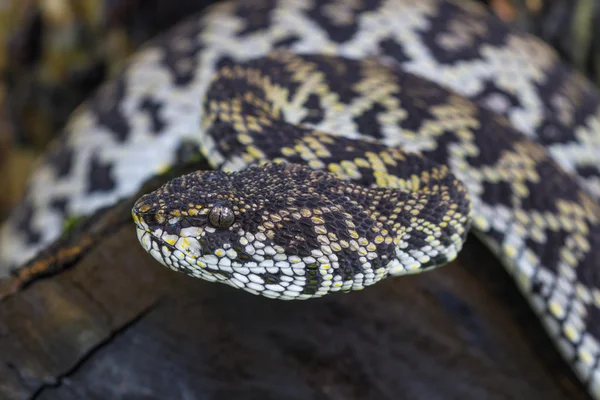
(350, 141)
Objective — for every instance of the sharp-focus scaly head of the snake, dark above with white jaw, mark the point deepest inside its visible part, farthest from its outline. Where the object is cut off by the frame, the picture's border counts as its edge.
(287, 231)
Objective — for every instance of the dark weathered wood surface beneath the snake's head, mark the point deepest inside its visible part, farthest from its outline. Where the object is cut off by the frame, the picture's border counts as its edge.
(117, 325)
